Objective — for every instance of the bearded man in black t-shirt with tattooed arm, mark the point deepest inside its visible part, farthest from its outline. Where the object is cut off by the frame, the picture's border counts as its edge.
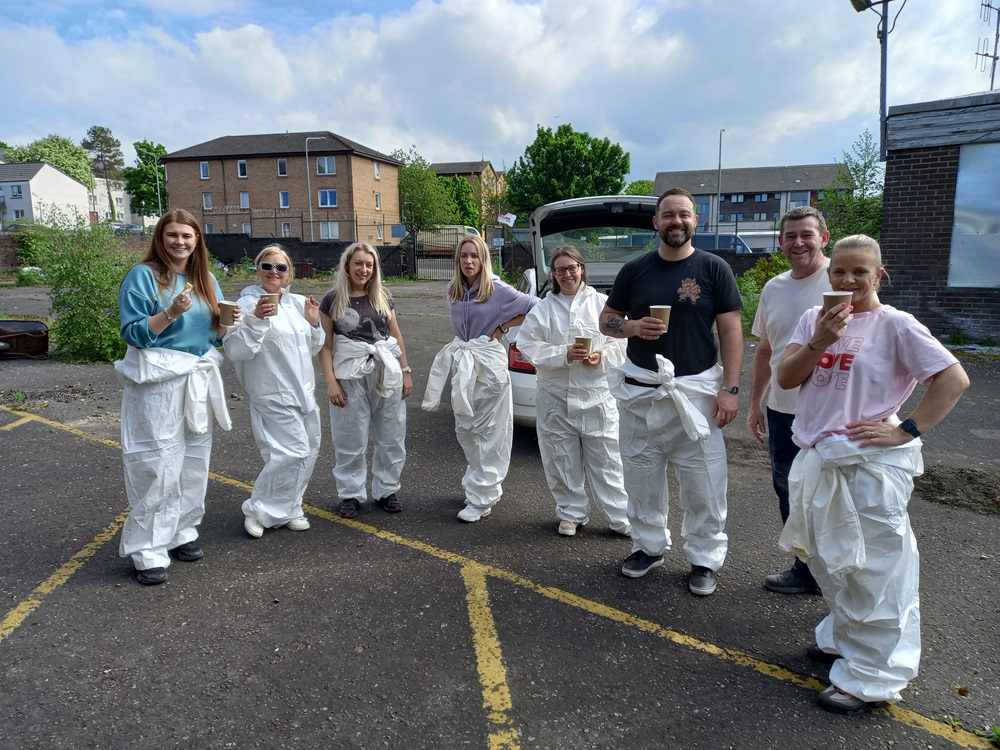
(674, 397)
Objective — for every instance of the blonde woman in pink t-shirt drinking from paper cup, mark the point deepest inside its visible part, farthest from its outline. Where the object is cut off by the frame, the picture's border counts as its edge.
(849, 486)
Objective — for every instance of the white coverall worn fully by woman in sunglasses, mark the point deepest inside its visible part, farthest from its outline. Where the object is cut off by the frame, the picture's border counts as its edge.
(273, 358)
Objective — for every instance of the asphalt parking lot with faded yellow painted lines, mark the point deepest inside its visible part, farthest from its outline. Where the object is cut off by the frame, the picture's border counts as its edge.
(416, 631)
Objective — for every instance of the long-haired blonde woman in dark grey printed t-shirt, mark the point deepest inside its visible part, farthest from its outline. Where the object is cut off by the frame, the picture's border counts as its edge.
(367, 378)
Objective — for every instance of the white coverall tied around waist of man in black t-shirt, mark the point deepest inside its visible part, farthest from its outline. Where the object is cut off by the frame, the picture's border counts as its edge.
(673, 423)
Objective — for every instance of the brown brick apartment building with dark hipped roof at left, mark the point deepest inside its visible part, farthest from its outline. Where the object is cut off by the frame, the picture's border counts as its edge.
(259, 185)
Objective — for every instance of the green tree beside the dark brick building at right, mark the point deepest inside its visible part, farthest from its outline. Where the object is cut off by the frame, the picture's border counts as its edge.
(853, 202)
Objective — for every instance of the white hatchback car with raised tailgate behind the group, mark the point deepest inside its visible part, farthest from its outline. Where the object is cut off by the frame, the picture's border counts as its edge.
(608, 230)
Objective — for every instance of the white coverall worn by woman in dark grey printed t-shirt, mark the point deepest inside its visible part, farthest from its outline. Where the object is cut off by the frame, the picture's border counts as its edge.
(372, 379)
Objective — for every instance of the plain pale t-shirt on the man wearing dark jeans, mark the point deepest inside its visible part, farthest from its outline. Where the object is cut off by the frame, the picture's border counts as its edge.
(782, 302)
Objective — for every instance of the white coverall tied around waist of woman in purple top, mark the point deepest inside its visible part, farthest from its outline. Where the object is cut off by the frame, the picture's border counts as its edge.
(484, 412)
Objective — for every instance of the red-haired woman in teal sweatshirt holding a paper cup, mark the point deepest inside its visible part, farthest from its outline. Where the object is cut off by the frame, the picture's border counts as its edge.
(171, 389)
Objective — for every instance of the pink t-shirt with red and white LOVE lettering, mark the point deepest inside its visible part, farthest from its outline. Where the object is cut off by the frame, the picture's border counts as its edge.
(867, 374)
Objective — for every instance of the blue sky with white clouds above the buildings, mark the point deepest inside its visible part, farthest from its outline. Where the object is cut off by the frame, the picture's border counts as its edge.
(791, 81)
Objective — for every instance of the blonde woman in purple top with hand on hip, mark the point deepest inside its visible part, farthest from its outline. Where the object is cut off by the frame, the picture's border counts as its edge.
(482, 308)
